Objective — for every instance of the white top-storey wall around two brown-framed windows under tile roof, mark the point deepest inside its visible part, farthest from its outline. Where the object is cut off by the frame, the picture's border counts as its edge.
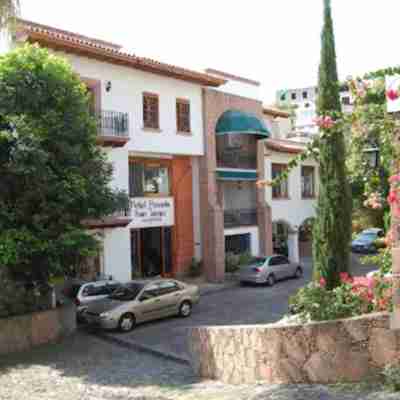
(126, 95)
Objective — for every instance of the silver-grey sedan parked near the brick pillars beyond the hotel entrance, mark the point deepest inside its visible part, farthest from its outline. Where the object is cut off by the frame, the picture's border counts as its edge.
(269, 270)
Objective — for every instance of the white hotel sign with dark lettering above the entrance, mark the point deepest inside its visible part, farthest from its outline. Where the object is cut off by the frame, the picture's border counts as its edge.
(149, 212)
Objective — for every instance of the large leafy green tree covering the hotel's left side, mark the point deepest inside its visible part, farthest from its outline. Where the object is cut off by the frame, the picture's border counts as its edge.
(53, 175)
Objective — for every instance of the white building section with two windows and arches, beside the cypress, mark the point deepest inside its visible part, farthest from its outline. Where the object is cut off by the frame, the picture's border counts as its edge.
(293, 202)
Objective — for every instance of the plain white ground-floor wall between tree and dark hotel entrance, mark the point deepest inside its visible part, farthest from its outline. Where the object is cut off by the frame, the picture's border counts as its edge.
(117, 254)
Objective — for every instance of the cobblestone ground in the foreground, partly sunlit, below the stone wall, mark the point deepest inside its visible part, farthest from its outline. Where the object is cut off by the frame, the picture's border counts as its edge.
(85, 368)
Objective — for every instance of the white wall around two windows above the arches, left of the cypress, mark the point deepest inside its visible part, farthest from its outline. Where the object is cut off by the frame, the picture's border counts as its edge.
(295, 209)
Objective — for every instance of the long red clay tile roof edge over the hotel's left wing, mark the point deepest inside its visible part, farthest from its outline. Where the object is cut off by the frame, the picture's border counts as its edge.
(74, 43)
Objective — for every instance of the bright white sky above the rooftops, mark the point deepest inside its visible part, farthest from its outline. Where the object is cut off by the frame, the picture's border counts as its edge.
(276, 42)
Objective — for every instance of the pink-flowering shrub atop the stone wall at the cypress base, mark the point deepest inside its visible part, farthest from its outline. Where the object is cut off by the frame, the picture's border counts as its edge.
(355, 296)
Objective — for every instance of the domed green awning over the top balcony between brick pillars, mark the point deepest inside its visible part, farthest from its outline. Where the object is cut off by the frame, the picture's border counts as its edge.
(236, 122)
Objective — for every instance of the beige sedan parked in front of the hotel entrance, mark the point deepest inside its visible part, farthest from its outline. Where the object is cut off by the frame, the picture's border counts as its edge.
(143, 300)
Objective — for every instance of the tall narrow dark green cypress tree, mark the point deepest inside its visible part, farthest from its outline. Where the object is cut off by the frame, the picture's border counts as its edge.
(332, 229)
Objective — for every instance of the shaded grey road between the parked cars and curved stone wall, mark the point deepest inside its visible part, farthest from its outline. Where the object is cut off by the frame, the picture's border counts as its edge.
(233, 306)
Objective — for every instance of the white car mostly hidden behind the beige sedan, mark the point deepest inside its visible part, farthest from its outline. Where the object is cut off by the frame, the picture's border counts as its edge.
(82, 293)
